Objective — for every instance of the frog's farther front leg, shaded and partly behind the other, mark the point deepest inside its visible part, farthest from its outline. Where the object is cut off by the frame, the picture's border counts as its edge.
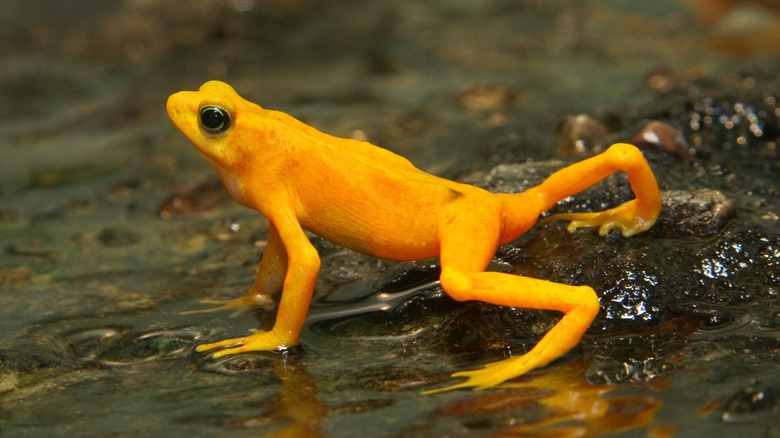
(269, 281)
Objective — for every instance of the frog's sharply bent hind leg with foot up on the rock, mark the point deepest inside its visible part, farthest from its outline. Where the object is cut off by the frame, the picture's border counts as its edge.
(633, 217)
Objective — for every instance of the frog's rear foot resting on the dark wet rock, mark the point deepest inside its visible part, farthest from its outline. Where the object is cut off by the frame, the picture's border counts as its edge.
(625, 218)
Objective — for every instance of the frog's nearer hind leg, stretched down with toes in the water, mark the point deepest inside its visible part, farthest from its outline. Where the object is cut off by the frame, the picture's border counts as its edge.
(467, 246)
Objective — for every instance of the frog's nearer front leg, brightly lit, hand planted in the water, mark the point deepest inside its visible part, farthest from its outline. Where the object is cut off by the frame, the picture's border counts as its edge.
(302, 265)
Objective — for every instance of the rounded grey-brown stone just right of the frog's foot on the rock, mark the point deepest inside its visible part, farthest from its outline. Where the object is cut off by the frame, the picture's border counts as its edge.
(700, 213)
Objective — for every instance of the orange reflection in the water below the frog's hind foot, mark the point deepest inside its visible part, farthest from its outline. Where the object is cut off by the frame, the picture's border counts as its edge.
(556, 403)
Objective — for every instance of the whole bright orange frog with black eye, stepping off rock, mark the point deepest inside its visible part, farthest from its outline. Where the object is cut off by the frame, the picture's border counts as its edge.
(373, 201)
